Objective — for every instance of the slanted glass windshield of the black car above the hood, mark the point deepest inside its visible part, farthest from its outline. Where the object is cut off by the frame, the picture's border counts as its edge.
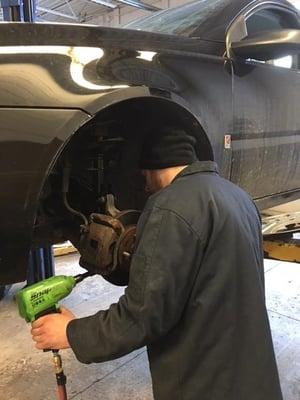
(183, 20)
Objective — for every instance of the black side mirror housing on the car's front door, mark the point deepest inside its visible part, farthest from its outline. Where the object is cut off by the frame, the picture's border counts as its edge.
(268, 45)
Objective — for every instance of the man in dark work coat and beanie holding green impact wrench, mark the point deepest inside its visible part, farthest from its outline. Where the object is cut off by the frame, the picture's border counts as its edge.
(196, 292)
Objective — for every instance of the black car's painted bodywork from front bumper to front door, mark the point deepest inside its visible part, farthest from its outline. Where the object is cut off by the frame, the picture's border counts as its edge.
(56, 78)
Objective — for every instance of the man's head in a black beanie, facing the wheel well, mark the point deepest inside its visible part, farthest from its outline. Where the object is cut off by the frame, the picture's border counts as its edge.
(165, 153)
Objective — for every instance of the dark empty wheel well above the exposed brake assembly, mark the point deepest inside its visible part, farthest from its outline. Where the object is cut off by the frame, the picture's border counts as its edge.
(103, 155)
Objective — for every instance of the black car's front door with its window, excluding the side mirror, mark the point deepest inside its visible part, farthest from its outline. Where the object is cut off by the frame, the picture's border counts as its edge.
(266, 127)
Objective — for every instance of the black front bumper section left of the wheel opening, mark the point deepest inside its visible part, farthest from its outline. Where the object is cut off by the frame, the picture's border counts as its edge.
(25, 157)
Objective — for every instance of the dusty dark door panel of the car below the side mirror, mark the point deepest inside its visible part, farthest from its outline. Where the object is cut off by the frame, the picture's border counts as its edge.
(267, 137)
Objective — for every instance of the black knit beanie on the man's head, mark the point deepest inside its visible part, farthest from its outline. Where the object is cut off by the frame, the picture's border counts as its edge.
(167, 147)
